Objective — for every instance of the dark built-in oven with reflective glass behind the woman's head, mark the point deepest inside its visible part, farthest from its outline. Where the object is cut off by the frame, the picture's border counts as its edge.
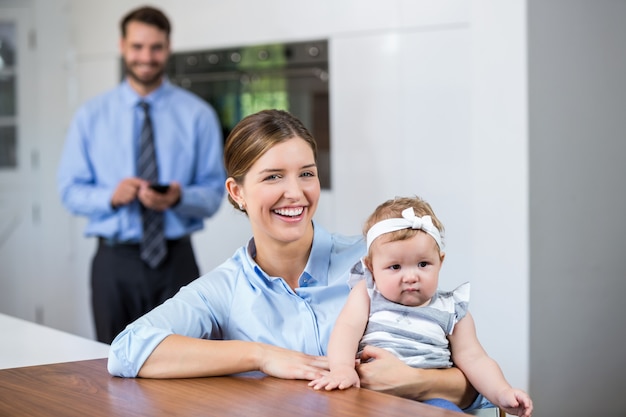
(242, 80)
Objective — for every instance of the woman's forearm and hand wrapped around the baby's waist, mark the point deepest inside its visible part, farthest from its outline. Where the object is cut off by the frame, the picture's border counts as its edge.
(389, 374)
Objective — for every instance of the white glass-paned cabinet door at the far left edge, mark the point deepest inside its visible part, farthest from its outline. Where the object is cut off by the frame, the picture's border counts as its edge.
(20, 209)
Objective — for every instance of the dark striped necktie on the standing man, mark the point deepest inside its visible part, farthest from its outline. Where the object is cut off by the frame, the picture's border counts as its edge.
(153, 247)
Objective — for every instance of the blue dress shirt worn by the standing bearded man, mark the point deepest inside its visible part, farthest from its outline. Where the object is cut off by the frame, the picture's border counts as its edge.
(102, 146)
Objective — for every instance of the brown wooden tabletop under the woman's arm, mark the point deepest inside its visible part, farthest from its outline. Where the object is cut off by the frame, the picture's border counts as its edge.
(85, 388)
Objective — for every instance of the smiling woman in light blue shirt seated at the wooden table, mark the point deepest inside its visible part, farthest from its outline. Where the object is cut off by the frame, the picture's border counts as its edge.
(272, 305)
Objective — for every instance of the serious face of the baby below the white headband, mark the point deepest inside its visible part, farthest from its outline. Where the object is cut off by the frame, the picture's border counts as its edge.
(406, 271)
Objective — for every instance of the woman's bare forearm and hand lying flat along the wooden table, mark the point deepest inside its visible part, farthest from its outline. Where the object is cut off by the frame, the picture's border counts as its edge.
(185, 357)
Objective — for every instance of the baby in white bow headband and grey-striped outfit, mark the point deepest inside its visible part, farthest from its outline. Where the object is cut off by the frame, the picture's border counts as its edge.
(395, 304)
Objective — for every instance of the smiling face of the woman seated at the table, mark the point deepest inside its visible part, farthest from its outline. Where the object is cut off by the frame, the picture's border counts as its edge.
(280, 192)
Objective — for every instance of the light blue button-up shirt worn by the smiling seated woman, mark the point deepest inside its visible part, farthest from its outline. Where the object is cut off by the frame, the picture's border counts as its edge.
(238, 301)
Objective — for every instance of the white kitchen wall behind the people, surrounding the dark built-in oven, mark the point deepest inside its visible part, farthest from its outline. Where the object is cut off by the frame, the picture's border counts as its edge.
(414, 89)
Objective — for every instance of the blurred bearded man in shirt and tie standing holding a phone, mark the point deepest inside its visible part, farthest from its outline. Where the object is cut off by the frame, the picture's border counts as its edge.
(143, 162)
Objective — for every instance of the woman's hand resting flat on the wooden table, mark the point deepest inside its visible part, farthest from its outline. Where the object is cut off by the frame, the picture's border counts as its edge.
(288, 364)
